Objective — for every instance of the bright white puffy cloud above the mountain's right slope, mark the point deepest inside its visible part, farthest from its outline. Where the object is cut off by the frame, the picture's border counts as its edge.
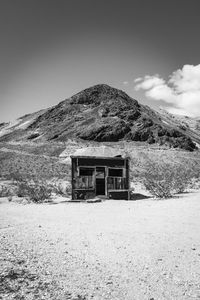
(182, 90)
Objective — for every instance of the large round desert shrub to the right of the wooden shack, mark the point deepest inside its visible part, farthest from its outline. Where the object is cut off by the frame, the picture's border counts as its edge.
(163, 179)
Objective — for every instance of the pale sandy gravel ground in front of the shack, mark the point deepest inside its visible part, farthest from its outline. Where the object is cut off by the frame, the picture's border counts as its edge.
(132, 250)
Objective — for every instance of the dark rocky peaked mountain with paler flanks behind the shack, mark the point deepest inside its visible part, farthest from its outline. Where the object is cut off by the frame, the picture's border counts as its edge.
(102, 113)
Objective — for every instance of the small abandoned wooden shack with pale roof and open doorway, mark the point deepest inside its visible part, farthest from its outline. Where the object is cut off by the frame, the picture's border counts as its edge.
(99, 171)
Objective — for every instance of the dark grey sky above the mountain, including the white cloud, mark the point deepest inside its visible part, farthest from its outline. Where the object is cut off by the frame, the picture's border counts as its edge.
(52, 49)
